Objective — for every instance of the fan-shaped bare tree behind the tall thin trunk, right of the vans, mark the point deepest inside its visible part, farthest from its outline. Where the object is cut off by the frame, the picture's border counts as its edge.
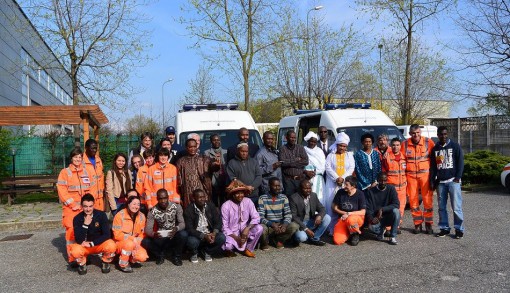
(430, 81)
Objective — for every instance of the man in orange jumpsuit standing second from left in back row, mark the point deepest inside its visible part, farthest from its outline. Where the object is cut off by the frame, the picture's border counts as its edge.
(94, 166)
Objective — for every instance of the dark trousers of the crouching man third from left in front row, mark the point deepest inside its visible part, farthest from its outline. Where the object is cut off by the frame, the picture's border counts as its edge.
(158, 246)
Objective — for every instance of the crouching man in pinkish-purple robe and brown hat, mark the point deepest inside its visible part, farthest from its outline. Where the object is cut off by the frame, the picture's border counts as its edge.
(240, 221)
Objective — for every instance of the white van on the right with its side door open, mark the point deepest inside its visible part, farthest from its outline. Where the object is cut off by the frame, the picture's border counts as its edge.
(353, 119)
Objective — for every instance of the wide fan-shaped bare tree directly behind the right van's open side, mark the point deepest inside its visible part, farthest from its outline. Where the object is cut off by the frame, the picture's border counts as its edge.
(335, 65)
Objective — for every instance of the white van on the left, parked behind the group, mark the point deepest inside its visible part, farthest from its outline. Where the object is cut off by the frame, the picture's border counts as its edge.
(222, 119)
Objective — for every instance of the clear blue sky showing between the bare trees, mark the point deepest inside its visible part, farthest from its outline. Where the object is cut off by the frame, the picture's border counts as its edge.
(173, 58)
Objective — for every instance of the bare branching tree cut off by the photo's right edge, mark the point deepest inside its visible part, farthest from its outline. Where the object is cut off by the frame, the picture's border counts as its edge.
(485, 50)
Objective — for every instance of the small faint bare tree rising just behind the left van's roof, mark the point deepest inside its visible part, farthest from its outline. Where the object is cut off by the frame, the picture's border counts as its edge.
(201, 88)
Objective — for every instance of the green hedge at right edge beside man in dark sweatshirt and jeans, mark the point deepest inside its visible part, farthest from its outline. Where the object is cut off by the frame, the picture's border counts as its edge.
(483, 167)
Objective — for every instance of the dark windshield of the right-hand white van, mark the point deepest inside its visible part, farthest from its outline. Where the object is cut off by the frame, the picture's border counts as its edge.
(355, 134)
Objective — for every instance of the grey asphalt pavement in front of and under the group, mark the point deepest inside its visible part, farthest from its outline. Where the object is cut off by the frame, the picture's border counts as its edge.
(480, 262)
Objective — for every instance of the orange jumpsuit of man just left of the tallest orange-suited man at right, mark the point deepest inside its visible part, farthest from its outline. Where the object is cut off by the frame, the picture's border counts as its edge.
(395, 166)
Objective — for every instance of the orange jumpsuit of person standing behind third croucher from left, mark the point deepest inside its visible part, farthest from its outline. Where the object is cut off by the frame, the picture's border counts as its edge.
(162, 177)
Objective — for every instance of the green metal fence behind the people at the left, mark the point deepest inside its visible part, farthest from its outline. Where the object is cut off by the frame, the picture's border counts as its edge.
(45, 156)
